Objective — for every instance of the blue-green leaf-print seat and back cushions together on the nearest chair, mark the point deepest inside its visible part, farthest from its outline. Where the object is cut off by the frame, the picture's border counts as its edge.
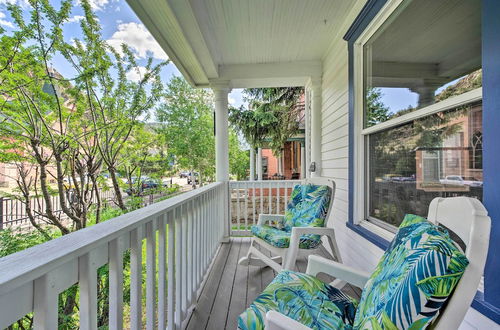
(411, 282)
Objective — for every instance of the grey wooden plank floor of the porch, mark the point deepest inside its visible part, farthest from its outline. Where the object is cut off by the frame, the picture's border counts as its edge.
(230, 287)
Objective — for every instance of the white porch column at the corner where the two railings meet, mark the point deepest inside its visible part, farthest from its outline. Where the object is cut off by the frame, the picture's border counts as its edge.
(221, 92)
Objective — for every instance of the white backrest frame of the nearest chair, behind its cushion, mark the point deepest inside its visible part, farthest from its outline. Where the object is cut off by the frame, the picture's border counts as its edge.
(469, 220)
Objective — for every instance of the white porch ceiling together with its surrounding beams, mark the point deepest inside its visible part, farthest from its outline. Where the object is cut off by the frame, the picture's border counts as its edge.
(248, 43)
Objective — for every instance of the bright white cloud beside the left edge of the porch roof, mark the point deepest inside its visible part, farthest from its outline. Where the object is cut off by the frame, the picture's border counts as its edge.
(140, 41)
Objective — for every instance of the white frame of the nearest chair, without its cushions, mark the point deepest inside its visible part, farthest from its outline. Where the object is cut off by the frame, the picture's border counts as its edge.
(464, 216)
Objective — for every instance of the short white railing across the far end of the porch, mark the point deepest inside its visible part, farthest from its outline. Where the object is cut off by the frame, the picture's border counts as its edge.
(250, 198)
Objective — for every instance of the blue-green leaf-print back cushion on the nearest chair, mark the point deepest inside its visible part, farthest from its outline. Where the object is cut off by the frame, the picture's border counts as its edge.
(412, 280)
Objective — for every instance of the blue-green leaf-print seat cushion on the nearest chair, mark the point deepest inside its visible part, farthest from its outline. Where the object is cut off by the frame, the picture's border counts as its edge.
(303, 298)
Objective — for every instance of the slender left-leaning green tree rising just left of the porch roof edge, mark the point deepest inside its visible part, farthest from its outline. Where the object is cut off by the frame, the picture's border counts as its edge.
(113, 102)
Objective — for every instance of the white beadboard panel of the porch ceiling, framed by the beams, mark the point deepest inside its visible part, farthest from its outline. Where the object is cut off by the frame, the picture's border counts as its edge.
(269, 31)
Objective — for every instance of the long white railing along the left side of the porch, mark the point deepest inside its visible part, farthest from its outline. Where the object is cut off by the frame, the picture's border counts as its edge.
(189, 228)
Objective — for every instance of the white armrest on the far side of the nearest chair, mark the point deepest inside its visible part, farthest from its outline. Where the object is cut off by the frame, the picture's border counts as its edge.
(317, 264)
